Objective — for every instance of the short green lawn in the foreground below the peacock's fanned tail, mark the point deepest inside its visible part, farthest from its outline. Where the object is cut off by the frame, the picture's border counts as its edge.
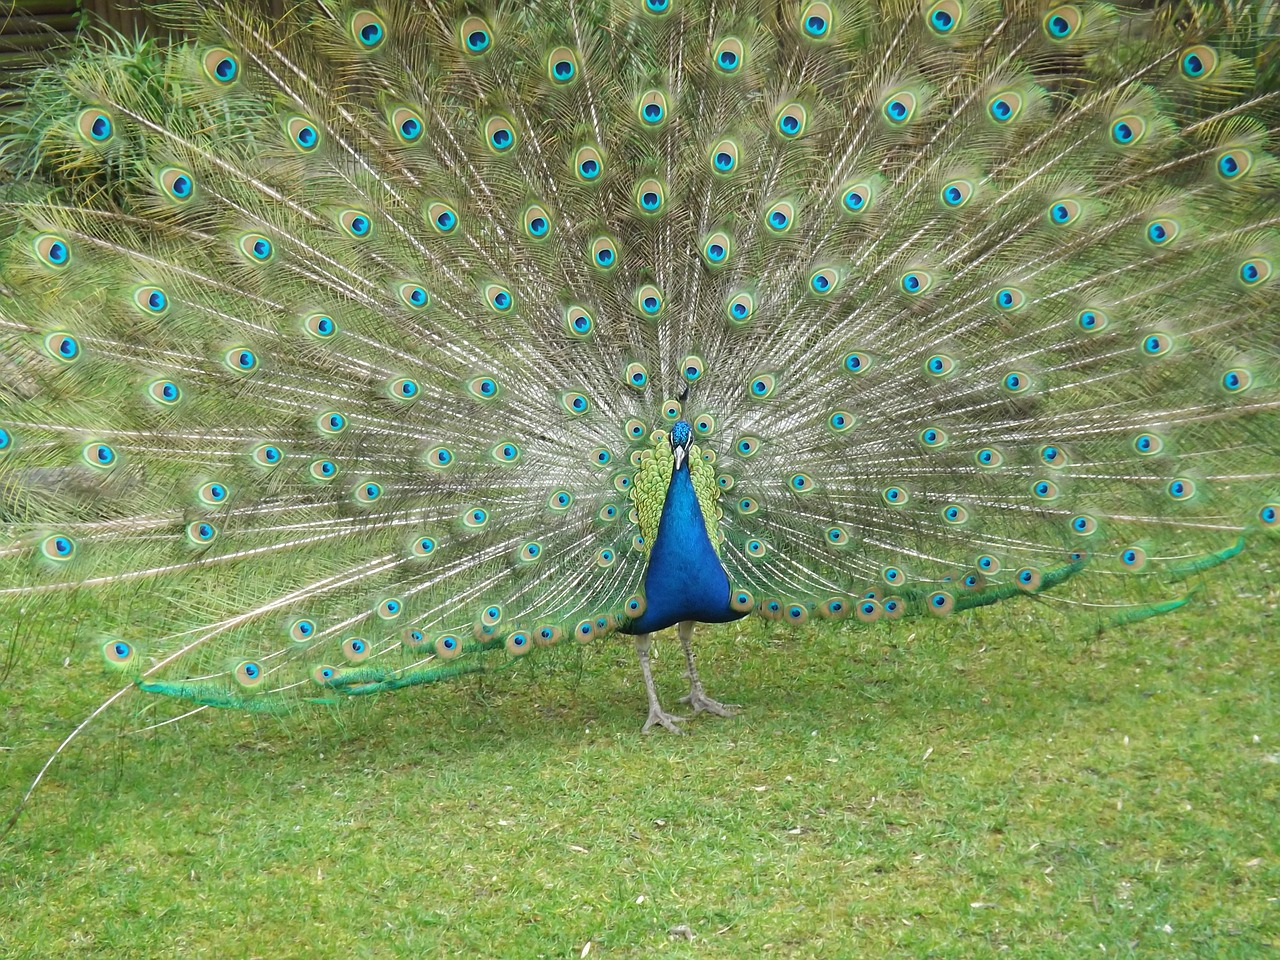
(994, 783)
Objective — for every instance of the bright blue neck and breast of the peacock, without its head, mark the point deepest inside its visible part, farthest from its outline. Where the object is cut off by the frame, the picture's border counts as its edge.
(685, 579)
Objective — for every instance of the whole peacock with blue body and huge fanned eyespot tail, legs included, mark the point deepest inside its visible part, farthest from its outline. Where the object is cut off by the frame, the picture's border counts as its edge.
(380, 344)
